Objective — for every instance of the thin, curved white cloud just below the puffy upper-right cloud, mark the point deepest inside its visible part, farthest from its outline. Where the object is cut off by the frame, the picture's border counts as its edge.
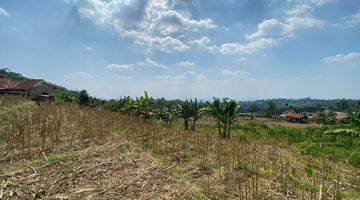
(235, 48)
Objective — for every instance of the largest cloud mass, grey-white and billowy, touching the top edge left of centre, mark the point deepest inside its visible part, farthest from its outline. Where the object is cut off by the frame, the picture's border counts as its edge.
(152, 23)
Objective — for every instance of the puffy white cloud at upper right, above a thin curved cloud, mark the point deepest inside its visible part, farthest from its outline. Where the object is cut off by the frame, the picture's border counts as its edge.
(275, 28)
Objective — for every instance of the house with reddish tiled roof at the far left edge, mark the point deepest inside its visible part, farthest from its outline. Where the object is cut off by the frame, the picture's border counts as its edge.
(34, 89)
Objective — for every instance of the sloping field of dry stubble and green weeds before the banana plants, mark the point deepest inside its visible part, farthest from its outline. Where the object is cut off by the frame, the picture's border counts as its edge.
(68, 152)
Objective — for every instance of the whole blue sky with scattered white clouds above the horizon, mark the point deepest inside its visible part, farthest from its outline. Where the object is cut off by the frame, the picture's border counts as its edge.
(241, 49)
